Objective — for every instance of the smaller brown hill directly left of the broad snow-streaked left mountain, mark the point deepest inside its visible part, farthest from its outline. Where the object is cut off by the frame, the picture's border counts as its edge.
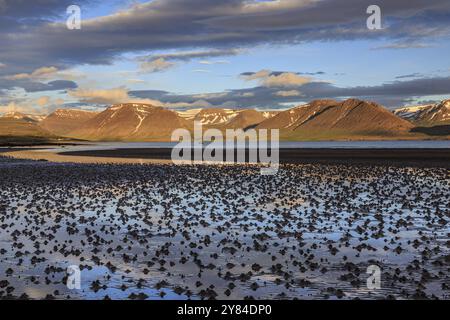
(63, 121)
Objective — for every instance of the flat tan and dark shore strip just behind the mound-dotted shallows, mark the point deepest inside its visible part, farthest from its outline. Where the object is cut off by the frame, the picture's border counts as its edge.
(410, 157)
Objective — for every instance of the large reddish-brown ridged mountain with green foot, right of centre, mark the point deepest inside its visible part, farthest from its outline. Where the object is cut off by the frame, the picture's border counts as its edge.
(329, 119)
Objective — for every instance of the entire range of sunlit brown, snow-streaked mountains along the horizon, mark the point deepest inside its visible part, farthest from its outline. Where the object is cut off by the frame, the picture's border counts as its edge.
(318, 120)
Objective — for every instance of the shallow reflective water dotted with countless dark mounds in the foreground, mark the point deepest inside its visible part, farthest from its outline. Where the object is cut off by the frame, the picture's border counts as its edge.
(178, 232)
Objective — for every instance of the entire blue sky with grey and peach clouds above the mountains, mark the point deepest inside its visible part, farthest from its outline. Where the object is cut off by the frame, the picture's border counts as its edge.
(183, 54)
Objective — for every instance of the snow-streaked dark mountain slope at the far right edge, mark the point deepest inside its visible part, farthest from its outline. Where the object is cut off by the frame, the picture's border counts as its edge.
(427, 115)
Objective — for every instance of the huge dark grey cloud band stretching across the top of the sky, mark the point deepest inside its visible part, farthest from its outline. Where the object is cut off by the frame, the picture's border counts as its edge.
(218, 24)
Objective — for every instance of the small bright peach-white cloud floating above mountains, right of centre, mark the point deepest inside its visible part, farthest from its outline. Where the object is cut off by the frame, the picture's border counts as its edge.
(268, 78)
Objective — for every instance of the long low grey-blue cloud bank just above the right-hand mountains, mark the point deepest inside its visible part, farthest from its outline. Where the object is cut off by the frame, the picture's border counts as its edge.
(392, 94)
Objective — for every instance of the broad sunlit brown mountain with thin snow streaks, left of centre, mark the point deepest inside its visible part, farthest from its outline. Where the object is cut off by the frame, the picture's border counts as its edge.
(132, 122)
